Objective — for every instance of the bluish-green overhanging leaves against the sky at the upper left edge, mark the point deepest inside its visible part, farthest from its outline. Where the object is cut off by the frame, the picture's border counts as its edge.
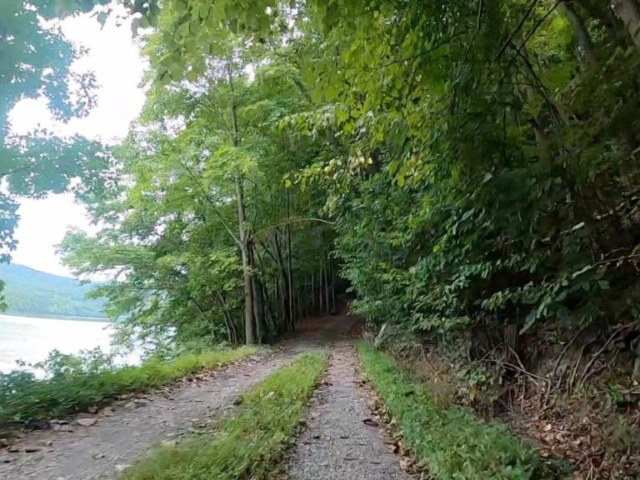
(37, 61)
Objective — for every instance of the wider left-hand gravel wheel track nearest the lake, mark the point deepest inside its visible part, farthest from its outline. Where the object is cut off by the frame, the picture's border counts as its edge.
(102, 450)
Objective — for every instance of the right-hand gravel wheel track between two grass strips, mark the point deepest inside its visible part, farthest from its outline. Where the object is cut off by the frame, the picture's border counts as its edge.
(338, 445)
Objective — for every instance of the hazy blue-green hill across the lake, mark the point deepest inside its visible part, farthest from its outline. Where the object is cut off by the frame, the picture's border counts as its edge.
(38, 294)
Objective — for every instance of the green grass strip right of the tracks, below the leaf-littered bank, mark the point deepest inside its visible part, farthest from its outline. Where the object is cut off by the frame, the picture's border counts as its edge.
(452, 443)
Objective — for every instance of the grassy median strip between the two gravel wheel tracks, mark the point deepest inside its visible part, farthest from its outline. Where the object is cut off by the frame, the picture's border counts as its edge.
(248, 444)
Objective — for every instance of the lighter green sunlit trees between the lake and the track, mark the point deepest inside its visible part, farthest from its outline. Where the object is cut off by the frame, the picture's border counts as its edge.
(207, 232)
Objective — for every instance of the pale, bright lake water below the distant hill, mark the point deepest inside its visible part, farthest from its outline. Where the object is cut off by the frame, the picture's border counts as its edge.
(31, 339)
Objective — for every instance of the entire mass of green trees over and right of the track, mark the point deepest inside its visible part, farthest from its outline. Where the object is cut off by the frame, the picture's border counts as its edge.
(460, 165)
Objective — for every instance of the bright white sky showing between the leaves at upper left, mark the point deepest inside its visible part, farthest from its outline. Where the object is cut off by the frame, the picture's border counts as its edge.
(115, 60)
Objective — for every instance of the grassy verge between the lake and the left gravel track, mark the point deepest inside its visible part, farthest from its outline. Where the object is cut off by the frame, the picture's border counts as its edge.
(25, 401)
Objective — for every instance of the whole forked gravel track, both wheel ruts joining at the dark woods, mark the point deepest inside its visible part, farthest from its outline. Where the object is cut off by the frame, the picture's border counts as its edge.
(337, 444)
